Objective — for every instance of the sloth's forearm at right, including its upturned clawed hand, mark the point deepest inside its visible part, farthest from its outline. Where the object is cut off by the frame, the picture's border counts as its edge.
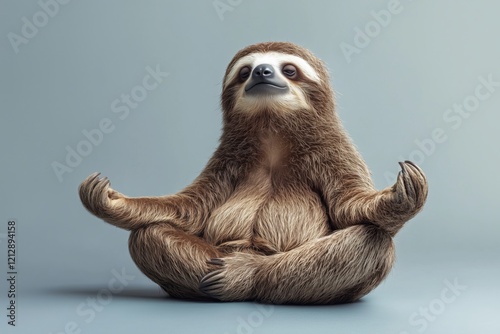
(388, 208)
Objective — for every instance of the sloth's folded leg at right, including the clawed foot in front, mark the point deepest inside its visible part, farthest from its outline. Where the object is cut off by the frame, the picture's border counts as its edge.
(341, 267)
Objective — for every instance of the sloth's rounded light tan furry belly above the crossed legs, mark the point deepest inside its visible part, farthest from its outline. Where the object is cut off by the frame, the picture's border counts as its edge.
(268, 219)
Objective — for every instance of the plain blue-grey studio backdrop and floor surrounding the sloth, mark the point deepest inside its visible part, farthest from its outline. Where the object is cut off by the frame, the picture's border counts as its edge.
(391, 94)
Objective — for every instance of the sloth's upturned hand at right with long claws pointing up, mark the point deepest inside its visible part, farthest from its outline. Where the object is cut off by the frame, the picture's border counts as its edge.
(409, 193)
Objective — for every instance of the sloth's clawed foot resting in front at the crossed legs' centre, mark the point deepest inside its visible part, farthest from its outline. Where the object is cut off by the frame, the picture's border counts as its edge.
(233, 277)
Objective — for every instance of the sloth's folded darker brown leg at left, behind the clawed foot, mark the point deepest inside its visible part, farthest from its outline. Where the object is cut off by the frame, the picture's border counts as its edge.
(172, 258)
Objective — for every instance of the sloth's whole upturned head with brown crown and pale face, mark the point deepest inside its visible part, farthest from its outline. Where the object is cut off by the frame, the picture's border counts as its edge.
(276, 77)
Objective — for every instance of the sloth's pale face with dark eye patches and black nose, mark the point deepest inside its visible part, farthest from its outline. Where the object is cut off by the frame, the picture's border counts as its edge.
(270, 81)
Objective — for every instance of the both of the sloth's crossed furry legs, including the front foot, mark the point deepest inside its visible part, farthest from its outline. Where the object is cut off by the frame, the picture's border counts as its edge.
(340, 267)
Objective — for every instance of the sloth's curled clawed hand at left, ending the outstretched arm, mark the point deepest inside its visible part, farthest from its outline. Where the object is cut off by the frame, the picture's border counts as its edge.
(98, 197)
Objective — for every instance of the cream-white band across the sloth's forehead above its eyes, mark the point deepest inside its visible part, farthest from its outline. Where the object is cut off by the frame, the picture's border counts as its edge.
(276, 59)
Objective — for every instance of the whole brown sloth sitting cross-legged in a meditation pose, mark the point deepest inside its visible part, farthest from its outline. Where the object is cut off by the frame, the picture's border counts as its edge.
(285, 211)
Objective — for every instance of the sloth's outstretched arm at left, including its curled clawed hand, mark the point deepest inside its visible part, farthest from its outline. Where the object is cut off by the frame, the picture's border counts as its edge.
(187, 209)
